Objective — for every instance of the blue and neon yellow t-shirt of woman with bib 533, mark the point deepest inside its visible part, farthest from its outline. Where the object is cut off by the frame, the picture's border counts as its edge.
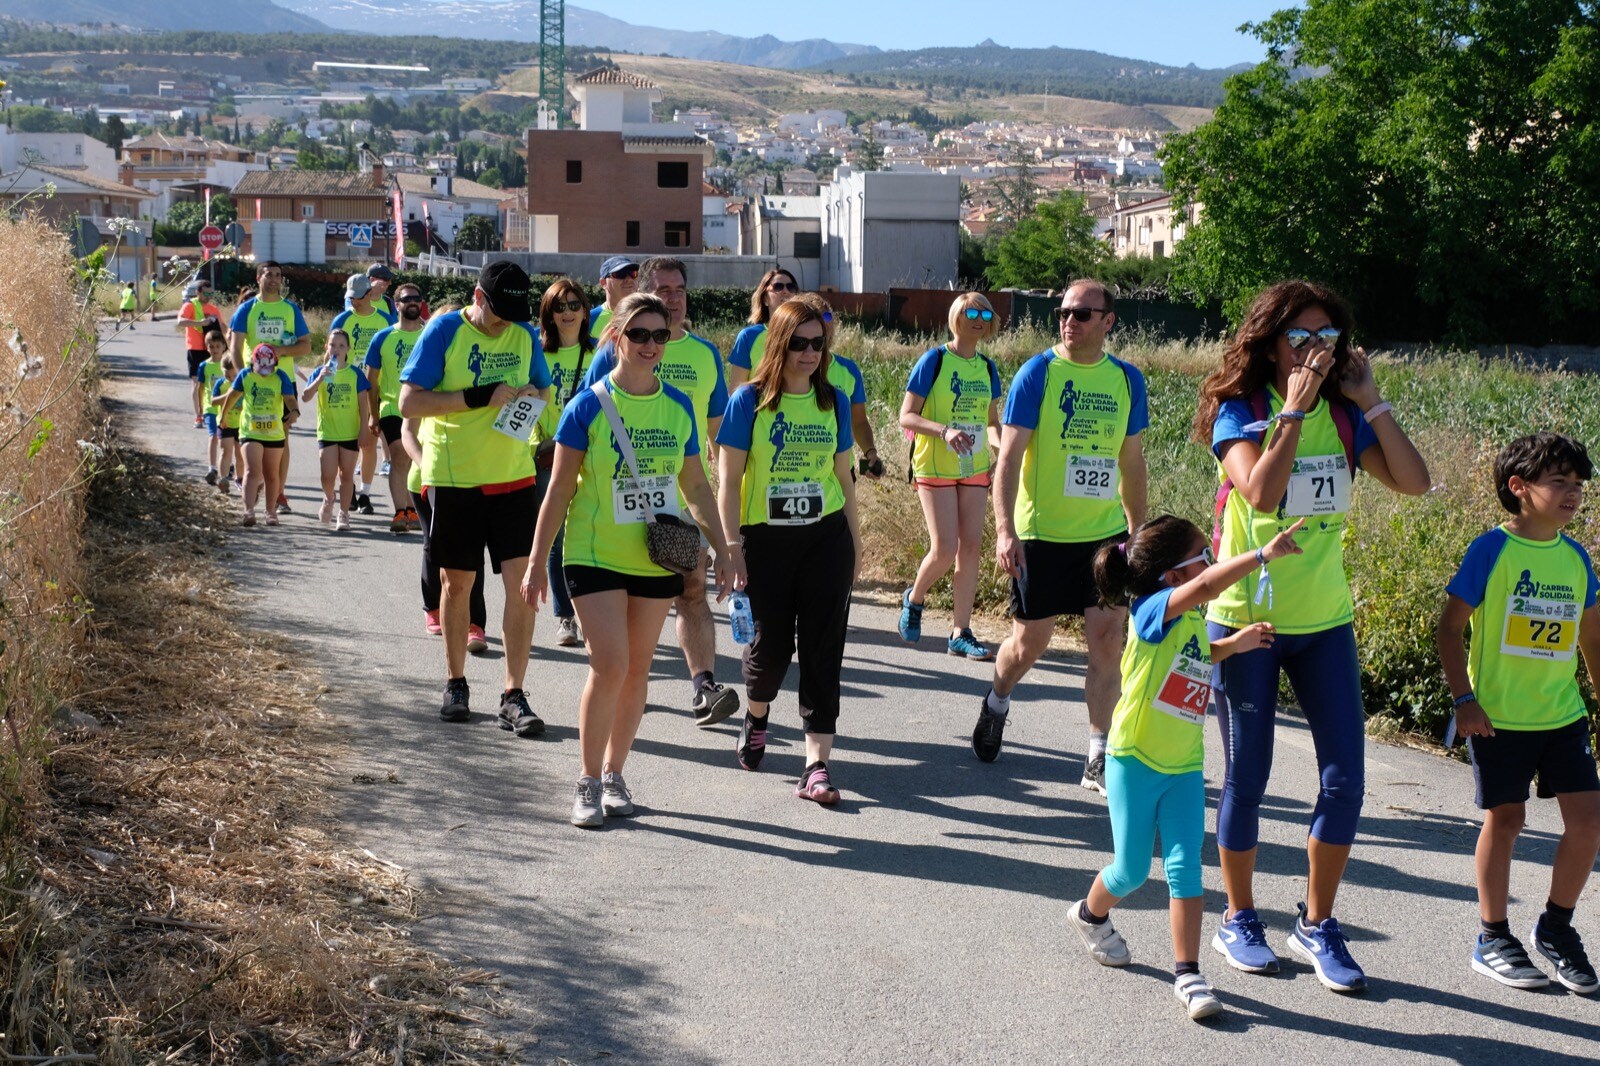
(606, 523)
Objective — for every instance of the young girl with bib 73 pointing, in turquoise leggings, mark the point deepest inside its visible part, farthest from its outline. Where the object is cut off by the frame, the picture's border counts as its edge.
(1156, 750)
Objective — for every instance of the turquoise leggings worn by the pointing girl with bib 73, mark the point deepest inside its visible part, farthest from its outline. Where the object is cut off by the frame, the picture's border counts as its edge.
(1143, 801)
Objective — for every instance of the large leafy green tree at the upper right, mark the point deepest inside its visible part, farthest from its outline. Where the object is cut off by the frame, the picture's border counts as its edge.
(1438, 162)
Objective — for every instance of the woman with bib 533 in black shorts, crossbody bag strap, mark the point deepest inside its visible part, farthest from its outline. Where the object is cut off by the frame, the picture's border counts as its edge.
(620, 593)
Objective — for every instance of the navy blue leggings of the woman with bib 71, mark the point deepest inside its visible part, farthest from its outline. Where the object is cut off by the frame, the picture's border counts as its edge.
(1327, 684)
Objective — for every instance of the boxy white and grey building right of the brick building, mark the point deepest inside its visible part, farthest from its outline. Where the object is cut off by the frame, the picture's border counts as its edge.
(890, 230)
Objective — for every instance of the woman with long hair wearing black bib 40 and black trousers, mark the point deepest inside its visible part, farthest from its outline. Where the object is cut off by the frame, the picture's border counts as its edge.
(785, 462)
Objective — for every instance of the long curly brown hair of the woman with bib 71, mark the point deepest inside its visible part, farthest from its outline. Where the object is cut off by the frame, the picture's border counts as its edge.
(1250, 366)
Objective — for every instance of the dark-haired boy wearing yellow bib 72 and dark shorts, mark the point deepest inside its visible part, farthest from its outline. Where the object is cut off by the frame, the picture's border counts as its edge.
(1530, 596)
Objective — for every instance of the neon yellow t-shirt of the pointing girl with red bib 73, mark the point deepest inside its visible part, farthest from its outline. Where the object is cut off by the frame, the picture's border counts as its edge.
(1166, 687)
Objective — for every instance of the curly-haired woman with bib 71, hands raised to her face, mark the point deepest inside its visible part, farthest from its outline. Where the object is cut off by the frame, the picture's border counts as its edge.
(1290, 415)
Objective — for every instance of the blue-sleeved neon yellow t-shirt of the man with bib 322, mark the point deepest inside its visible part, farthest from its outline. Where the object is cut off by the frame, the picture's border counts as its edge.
(1070, 491)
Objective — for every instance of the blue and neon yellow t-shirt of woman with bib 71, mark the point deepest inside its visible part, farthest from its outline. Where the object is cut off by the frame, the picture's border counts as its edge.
(1310, 591)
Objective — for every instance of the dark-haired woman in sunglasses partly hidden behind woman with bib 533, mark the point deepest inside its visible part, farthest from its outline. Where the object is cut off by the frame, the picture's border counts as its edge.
(569, 348)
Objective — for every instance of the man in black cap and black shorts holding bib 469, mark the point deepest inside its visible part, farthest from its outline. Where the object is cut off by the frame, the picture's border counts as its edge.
(466, 367)
